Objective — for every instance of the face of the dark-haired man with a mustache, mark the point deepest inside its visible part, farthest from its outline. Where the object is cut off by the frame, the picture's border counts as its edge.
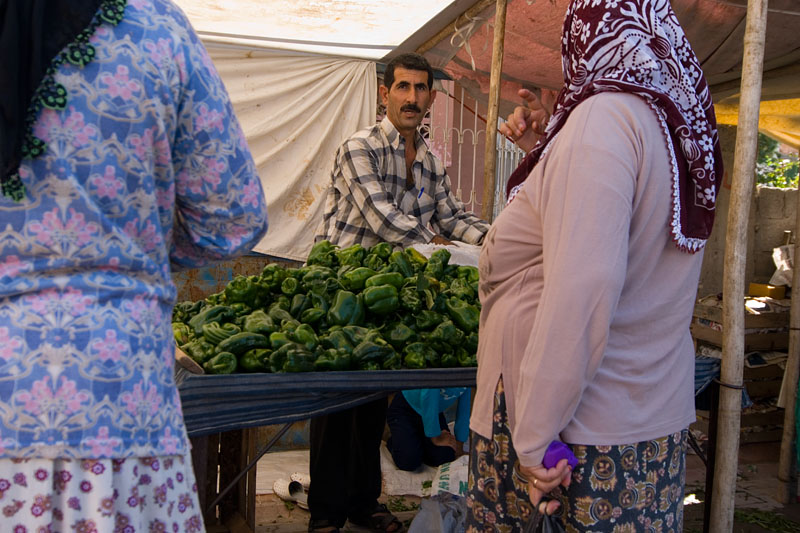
(408, 99)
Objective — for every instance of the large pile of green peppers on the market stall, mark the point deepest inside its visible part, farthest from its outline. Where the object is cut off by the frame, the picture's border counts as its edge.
(351, 308)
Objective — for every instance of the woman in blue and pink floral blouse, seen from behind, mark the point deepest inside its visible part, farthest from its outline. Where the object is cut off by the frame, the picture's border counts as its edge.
(120, 160)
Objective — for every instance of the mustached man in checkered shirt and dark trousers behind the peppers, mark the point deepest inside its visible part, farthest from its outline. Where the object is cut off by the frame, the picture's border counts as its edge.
(386, 185)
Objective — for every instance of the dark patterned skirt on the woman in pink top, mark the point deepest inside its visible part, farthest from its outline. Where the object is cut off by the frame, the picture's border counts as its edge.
(621, 488)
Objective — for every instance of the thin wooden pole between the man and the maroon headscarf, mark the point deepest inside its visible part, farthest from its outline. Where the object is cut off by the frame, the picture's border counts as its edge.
(490, 154)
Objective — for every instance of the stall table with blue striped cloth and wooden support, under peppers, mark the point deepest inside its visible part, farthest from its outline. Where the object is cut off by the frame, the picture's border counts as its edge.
(221, 411)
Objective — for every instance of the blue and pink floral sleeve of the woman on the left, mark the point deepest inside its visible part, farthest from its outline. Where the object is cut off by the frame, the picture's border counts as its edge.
(220, 209)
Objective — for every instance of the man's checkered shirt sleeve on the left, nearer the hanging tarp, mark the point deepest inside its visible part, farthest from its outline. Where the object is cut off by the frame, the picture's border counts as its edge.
(360, 173)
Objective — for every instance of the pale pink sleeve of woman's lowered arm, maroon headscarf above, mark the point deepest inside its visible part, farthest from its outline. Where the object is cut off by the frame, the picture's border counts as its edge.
(585, 206)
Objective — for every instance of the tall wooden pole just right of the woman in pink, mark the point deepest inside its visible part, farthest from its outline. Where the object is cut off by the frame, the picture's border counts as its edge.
(730, 398)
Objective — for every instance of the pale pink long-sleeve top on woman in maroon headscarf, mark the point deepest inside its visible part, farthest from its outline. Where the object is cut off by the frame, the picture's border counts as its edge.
(586, 300)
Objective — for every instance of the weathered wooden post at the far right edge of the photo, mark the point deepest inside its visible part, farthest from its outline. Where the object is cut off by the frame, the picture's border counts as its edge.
(787, 473)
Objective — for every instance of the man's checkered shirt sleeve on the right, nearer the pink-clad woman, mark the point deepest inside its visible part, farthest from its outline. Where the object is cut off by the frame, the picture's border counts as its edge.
(453, 221)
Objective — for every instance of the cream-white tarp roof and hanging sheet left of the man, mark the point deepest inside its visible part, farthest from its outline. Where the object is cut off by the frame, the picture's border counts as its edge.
(302, 78)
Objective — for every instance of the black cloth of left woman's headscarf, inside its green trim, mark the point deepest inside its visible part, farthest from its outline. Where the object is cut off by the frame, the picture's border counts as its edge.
(32, 32)
